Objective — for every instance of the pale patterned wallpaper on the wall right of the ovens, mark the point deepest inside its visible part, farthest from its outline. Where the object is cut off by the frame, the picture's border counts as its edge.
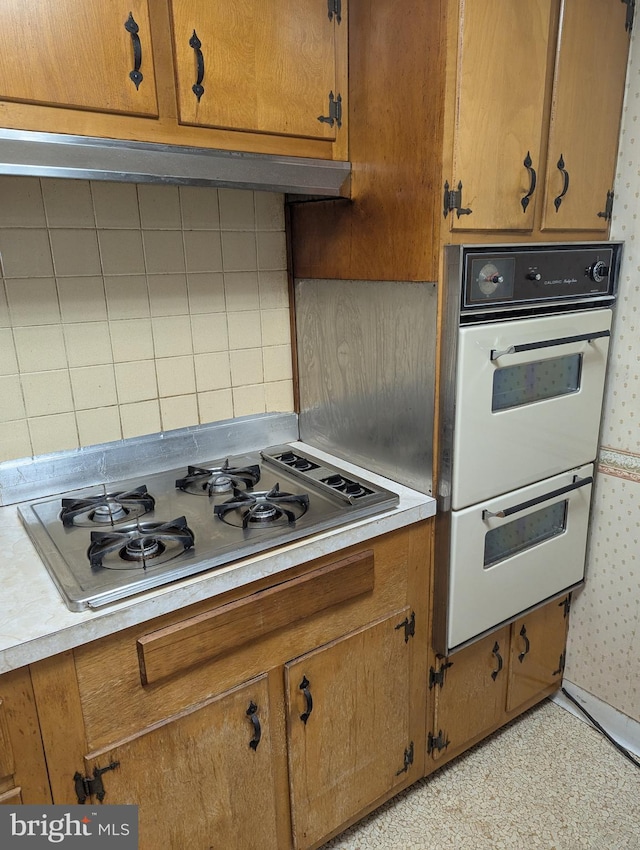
(603, 655)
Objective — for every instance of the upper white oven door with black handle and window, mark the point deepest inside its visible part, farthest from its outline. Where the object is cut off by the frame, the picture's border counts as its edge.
(528, 401)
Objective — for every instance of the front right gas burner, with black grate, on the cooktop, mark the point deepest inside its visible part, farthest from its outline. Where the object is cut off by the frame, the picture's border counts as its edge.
(262, 510)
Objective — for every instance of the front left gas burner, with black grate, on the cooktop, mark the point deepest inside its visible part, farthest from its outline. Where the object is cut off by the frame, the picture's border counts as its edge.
(140, 545)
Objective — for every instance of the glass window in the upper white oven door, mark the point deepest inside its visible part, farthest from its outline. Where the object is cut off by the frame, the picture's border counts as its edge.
(514, 386)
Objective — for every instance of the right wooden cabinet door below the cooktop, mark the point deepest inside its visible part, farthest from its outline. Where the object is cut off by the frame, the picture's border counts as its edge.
(348, 723)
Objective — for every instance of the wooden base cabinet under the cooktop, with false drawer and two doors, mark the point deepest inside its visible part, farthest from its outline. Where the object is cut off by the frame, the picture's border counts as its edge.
(197, 717)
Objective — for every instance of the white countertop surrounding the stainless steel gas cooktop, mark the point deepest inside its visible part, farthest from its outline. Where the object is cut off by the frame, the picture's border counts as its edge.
(35, 623)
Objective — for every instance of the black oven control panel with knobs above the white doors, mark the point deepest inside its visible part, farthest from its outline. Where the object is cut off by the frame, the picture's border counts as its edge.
(530, 276)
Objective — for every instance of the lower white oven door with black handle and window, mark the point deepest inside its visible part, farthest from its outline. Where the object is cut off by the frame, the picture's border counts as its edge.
(514, 552)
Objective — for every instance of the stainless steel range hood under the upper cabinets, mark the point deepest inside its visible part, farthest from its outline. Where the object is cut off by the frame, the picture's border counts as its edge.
(56, 155)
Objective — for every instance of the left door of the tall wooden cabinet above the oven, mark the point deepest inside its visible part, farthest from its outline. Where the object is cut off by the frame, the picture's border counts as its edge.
(501, 76)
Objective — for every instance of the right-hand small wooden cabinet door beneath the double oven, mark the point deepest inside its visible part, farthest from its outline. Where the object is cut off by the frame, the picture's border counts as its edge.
(537, 652)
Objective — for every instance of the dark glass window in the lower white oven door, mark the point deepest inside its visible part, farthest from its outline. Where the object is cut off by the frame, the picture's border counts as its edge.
(524, 533)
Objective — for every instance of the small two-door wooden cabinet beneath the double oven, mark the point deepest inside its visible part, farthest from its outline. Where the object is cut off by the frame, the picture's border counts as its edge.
(478, 689)
